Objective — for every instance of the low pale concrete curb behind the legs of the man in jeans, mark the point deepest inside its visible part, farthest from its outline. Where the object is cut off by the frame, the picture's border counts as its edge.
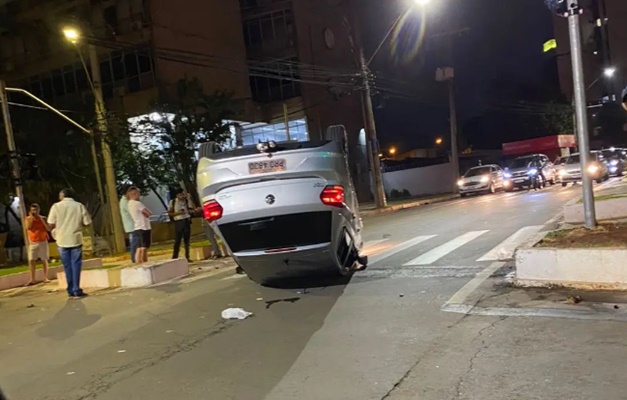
(131, 277)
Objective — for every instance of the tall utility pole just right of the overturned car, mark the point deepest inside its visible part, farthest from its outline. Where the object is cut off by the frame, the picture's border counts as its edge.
(371, 134)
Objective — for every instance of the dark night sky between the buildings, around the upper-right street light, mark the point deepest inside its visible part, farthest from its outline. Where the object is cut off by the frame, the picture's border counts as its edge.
(498, 62)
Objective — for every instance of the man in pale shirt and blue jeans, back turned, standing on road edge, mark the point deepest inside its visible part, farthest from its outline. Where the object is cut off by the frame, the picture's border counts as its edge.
(67, 218)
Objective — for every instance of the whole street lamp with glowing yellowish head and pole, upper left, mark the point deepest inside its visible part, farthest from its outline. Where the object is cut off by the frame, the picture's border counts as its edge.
(73, 35)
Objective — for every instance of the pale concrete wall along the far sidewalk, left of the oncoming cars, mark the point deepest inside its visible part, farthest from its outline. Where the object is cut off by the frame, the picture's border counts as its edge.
(433, 179)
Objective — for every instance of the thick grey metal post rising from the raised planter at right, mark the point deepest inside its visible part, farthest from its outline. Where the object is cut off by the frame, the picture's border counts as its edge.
(581, 113)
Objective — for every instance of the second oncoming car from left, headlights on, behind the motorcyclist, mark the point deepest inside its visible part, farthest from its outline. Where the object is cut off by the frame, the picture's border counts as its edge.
(517, 171)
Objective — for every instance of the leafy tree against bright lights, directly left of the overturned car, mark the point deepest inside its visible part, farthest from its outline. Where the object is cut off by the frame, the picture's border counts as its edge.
(174, 132)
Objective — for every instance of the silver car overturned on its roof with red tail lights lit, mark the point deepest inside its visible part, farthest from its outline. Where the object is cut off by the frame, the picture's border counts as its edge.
(284, 209)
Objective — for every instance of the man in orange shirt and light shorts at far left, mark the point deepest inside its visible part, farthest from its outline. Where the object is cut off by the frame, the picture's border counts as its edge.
(38, 229)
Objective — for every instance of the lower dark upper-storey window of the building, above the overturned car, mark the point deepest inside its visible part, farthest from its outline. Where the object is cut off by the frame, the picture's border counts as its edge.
(275, 81)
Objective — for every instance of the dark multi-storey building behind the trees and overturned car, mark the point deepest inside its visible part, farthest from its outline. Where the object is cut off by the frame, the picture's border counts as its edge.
(283, 60)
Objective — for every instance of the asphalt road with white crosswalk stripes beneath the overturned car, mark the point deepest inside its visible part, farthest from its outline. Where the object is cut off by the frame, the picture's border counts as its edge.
(380, 336)
